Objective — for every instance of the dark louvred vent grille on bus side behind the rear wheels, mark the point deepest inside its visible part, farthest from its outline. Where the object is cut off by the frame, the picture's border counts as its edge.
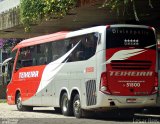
(91, 92)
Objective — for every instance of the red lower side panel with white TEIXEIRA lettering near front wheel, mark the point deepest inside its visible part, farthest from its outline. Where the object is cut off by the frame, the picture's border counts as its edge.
(26, 80)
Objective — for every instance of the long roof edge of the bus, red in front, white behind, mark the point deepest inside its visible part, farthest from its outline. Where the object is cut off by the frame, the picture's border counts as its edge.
(63, 35)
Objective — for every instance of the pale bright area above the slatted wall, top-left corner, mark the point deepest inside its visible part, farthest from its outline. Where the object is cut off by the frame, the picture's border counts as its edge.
(6, 5)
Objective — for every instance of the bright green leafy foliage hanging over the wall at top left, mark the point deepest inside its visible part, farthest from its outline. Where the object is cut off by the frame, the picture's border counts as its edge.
(33, 11)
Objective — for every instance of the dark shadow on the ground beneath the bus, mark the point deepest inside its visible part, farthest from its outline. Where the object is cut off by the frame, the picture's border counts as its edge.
(140, 117)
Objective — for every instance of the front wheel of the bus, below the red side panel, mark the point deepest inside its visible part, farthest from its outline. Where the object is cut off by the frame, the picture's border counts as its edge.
(21, 107)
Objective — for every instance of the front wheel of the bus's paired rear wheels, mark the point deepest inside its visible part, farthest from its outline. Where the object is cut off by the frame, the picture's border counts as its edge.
(66, 106)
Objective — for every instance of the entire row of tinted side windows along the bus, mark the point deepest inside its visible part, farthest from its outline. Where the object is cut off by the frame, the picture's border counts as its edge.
(45, 53)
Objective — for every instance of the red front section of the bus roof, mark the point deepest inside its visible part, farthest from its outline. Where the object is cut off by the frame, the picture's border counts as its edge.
(41, 39)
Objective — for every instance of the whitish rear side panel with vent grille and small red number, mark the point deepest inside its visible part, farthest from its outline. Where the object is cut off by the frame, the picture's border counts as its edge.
(89, 84)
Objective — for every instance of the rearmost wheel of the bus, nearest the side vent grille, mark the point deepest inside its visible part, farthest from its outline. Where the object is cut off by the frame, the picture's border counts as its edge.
(77, 107)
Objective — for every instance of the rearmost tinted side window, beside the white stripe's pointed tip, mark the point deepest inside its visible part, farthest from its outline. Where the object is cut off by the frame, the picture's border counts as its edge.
(85, 49)
